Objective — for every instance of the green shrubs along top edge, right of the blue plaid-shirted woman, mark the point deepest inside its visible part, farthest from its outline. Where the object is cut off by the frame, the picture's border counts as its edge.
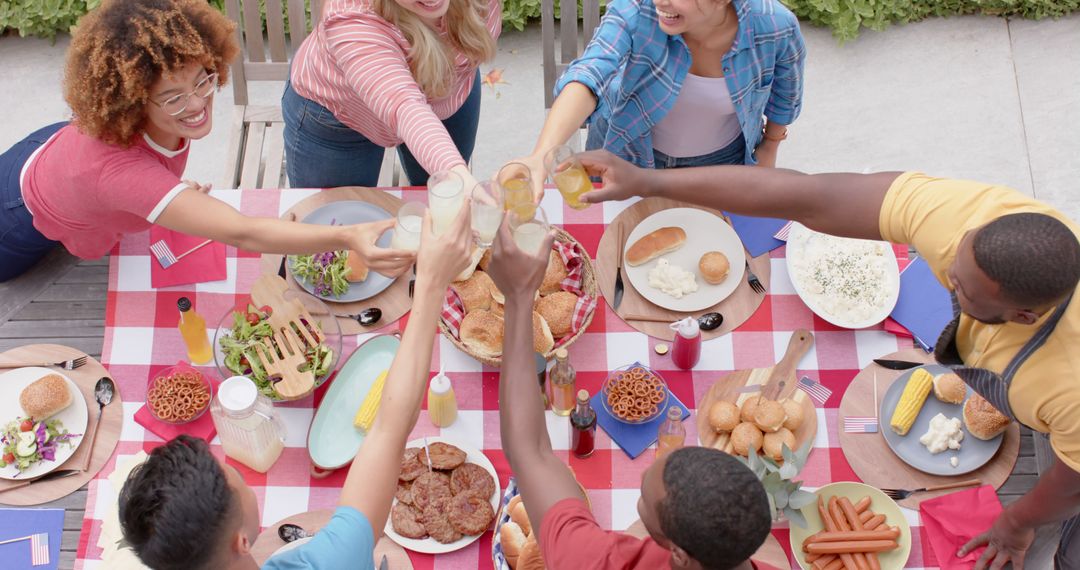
(846, 18)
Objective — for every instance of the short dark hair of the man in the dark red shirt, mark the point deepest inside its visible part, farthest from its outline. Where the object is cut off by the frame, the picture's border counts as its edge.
(717, 509)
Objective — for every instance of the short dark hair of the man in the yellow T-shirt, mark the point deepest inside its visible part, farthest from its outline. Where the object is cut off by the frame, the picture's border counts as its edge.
(1035, 259)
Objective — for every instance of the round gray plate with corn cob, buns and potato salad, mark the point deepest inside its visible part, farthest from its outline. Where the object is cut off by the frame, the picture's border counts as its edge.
(974, 453)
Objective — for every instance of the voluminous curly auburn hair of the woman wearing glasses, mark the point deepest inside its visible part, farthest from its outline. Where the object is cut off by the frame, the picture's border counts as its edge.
(121, 49)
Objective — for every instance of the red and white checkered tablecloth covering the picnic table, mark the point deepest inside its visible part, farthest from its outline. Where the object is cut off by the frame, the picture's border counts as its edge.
(141, 338)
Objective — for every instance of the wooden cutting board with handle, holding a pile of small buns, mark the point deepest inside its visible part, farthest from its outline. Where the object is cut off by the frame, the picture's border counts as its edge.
(778, 383)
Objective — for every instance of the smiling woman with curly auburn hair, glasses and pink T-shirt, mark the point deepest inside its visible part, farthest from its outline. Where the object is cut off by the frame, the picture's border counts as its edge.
(141, 80)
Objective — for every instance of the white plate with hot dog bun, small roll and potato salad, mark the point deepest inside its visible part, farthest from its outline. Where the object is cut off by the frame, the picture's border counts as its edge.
(705, 233)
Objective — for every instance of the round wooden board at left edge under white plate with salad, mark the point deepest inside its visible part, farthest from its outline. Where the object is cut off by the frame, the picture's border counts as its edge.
(86, 377)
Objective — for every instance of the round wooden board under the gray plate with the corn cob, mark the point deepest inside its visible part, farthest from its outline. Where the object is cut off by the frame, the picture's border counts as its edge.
(875, 464)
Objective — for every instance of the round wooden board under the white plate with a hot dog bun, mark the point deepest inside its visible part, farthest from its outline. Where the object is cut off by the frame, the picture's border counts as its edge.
(736, 309)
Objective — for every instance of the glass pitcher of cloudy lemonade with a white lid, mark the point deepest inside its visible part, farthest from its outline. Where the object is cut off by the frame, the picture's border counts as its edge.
(250, 430)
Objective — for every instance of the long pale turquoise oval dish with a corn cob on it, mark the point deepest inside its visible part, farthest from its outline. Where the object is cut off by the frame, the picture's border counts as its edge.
(333, 441)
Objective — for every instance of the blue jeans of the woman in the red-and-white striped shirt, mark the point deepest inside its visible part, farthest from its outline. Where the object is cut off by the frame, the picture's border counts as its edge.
(323, 153)
